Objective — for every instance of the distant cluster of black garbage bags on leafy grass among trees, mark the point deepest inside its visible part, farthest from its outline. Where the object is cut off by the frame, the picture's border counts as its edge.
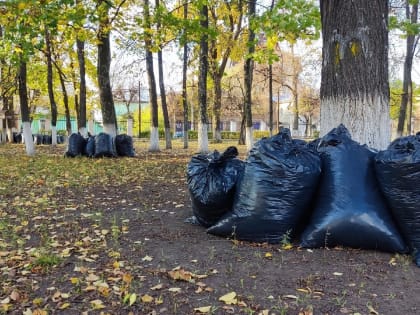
(101, 145)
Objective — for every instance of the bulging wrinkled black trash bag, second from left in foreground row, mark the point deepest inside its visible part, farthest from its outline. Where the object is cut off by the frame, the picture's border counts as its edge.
(274, 194)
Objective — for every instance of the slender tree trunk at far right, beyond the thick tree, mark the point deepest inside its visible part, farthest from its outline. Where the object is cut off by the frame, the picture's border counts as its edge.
(407, 94)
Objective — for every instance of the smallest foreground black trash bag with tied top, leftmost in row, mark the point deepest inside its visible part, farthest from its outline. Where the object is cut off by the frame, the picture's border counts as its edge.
(212, 181)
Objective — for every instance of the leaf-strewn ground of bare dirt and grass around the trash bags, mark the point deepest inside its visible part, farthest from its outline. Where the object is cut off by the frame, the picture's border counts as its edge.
(107, 236)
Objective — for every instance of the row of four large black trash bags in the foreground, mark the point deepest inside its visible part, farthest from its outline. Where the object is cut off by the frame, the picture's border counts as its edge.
(329, 192)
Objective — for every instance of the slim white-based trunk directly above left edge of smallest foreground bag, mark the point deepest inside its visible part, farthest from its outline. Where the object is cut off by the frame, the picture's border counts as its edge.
(203, 142)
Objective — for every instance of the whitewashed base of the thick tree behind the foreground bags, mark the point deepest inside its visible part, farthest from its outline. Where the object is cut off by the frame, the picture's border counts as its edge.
(367, 119)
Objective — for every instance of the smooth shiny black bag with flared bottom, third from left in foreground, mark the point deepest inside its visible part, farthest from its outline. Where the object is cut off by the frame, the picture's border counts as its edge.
(350, 209)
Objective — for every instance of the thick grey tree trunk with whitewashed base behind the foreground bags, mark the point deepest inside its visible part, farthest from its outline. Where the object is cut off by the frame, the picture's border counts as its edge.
(354, 81)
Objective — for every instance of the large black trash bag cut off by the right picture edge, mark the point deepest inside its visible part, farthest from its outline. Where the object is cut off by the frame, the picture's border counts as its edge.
(398, 172)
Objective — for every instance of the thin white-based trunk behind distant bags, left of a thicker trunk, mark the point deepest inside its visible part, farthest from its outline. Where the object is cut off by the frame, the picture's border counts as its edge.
(81, 115)
